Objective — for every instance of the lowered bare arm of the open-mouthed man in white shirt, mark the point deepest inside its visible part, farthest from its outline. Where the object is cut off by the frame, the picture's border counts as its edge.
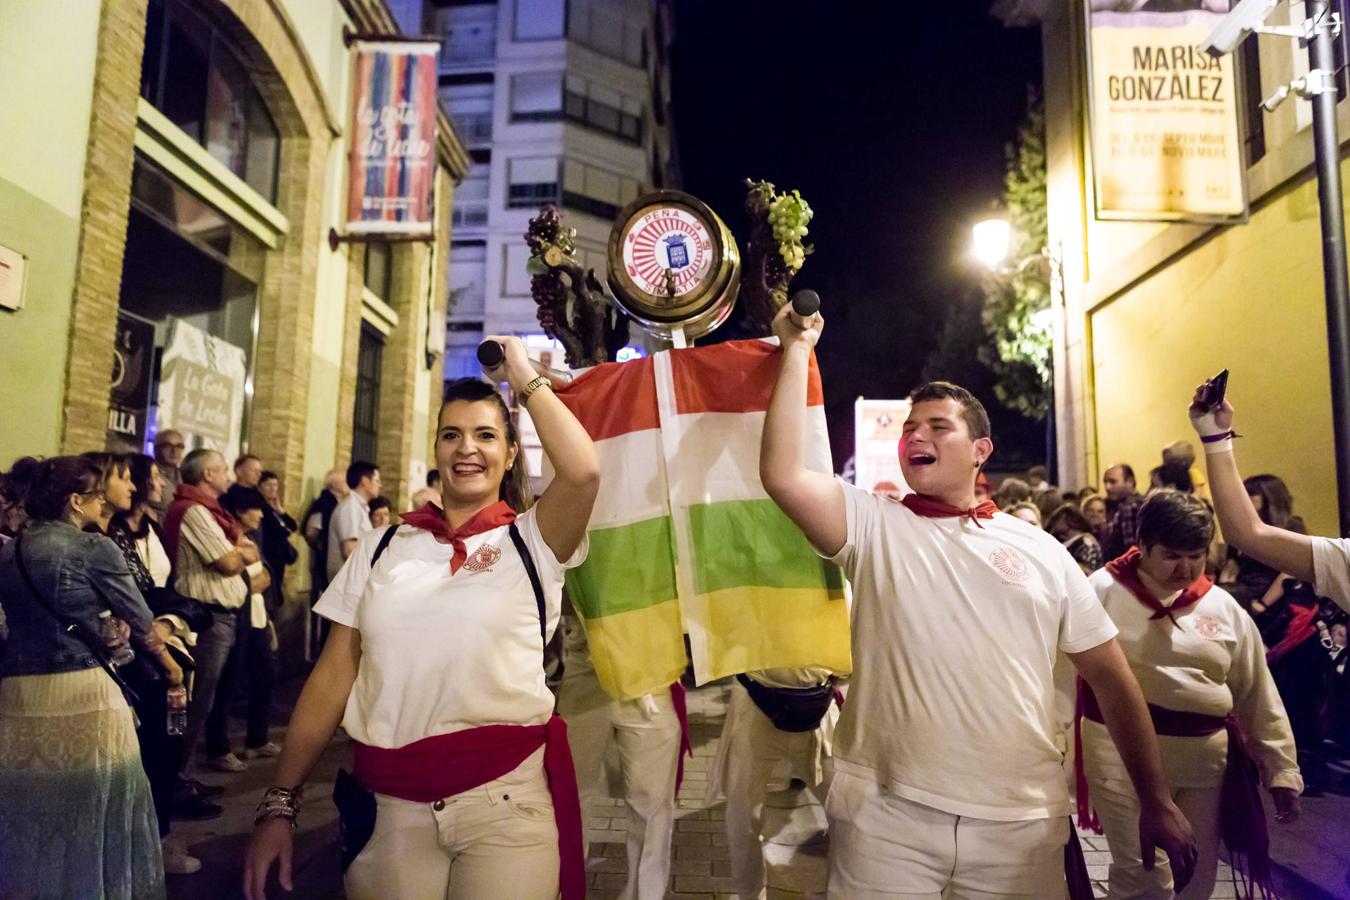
(1162, 824)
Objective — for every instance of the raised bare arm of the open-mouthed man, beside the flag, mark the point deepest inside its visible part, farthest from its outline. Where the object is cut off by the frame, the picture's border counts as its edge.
(815, 501)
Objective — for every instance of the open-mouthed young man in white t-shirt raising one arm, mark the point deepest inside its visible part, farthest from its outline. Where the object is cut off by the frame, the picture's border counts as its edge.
(947, 775)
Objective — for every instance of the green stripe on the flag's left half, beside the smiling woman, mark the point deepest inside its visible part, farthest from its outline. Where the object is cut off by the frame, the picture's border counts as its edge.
(630, 567)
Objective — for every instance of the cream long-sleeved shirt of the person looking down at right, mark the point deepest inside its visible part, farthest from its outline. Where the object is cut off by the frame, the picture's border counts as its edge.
(1213, 663)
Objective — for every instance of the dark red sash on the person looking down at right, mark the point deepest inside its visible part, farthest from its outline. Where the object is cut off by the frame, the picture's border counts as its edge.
(1241, 812)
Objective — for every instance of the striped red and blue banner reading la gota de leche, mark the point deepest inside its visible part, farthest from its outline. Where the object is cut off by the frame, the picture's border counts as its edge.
(394, 140)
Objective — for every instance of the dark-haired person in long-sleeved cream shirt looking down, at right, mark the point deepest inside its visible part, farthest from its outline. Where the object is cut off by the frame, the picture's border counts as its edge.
(1199, 659)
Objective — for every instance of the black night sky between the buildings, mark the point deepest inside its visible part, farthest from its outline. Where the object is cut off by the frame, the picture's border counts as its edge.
(892, 119)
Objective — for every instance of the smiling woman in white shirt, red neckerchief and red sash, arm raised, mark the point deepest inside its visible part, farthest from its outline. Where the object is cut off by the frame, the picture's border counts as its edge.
(464, 786)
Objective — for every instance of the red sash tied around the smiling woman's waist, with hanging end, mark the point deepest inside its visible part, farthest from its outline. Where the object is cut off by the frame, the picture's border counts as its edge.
(448, 764)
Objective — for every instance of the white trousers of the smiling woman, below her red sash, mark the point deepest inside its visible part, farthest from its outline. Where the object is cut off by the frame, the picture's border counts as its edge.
(495, 841)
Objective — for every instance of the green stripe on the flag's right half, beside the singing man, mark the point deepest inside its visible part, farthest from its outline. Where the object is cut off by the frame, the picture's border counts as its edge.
(753, 543)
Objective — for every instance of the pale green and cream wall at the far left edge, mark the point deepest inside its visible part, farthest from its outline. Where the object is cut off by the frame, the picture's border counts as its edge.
(47, 68)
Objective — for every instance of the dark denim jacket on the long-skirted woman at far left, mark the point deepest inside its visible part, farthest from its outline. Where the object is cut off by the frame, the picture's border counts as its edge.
(79, 575)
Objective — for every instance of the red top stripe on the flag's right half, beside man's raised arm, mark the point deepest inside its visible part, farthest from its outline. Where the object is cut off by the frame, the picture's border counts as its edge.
(736, 377)
